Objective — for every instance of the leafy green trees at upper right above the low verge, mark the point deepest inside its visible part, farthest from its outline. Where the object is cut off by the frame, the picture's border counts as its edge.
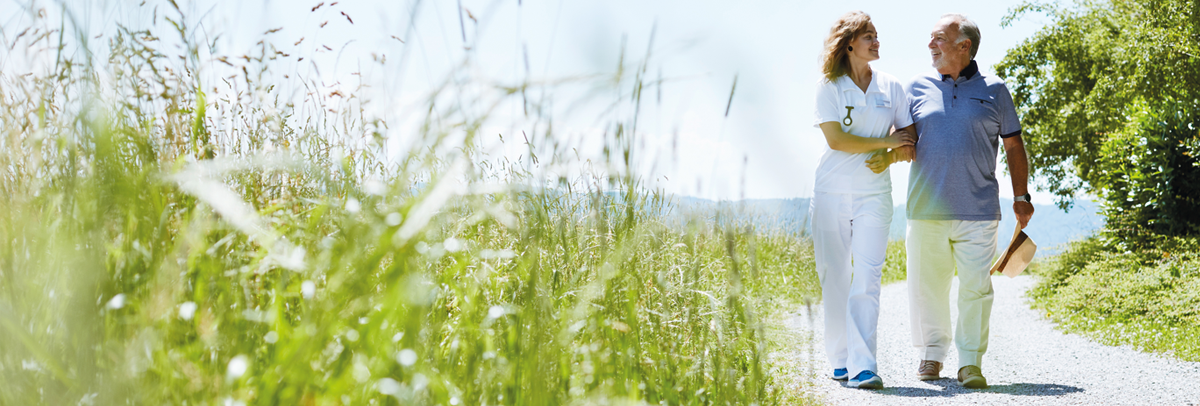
(1083, 83)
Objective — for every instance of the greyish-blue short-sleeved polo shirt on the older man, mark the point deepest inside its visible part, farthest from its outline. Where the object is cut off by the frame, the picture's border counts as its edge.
(959, 126)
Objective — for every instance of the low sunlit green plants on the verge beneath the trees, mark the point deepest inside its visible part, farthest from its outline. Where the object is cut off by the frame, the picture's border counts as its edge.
(1147, 298)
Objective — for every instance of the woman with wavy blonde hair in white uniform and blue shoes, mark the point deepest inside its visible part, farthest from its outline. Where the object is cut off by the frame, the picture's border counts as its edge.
(851, 208)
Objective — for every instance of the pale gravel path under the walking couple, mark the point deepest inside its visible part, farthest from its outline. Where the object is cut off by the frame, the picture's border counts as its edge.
(1028, 363)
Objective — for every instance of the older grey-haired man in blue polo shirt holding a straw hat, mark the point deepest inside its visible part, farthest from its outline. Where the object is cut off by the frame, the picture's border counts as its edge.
(962, 117)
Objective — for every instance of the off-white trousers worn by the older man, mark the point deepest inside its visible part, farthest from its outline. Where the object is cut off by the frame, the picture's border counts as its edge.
(935, 249)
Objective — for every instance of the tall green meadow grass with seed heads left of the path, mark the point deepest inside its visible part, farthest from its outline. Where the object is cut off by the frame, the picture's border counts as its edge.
(164, 246)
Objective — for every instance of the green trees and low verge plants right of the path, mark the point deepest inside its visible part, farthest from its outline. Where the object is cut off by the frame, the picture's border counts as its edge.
(1109, 95)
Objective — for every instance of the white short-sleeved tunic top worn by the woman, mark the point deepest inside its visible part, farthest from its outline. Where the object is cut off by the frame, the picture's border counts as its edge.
(884, 106)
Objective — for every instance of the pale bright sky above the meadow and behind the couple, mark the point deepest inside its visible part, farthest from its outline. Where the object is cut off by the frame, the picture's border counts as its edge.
(766, 147)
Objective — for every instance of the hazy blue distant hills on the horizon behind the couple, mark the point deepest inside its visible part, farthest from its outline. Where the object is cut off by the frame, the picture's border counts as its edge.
(1051, 228)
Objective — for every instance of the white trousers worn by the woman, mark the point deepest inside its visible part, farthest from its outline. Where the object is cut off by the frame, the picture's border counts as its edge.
(850, 238)
